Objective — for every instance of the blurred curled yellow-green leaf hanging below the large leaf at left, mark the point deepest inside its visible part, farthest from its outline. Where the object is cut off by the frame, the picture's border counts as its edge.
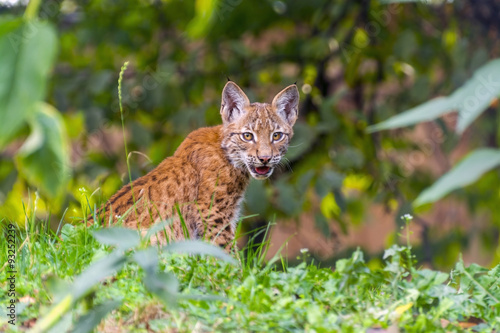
(44, 157)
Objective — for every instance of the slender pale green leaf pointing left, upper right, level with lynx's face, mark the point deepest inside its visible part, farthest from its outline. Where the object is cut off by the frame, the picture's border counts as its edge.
(424, 112)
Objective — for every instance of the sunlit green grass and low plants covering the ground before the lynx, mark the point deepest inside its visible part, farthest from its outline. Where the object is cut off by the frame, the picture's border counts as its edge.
(182, 293)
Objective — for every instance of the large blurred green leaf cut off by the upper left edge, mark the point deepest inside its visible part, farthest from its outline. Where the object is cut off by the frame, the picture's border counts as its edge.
(27, 54)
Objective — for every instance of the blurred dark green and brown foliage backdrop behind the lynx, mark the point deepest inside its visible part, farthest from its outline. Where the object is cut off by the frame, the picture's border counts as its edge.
(356, 63)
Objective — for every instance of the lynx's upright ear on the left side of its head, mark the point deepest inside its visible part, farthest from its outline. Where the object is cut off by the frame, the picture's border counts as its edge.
(234, 101)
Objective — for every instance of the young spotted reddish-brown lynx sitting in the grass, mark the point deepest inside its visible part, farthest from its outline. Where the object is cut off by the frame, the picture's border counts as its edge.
(202, 185)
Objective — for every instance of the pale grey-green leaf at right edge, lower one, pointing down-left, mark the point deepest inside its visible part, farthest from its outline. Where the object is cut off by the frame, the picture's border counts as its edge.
(470, 169)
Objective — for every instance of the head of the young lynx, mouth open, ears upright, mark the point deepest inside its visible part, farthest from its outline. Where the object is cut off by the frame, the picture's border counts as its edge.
(256, 135)
